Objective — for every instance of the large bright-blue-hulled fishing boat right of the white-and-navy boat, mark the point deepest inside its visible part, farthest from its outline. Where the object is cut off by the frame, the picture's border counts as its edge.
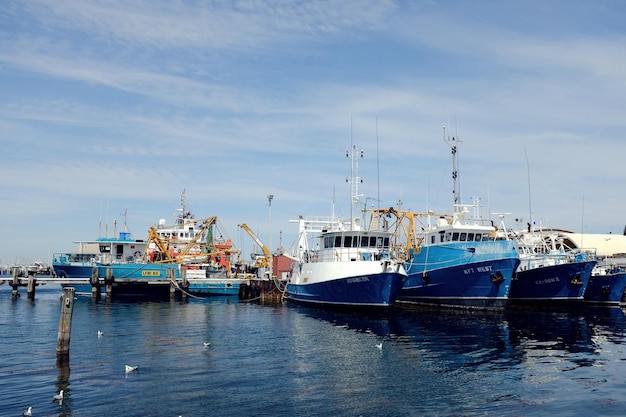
(453, 260)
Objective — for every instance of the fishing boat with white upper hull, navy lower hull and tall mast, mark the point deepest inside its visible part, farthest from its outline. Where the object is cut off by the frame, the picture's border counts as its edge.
(339, 264)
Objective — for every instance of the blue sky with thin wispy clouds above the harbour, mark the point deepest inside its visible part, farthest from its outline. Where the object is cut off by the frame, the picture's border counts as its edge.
(113, 106)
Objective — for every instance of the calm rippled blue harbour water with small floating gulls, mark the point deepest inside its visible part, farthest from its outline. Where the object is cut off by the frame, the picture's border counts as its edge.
(292, 361)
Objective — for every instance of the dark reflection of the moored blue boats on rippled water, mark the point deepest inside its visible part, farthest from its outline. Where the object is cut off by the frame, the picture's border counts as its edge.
(497, 340)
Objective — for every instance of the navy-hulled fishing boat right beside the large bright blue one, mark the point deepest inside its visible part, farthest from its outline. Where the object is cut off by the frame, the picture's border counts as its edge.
(550, 275)
